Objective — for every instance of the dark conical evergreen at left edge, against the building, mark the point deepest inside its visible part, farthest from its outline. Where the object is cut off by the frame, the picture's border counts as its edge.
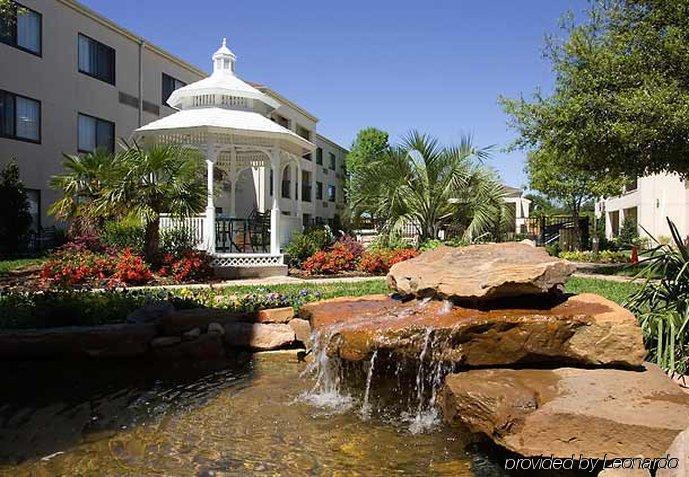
(15, 219)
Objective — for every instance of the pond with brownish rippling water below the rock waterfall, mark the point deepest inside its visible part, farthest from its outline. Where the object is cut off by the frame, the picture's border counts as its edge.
(242, 416)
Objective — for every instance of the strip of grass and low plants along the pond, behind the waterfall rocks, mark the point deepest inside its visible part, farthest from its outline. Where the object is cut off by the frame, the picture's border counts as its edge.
(82, 308)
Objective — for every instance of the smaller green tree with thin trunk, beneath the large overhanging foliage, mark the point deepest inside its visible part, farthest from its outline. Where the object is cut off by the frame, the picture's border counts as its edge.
(549, 174)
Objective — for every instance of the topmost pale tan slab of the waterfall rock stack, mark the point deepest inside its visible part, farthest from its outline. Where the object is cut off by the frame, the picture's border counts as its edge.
(480, 272)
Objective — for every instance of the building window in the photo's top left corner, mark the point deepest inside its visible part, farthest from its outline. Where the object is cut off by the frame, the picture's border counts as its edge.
(21, 28)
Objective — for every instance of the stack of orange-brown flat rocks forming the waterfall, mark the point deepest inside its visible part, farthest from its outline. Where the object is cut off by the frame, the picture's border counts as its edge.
(540, 372)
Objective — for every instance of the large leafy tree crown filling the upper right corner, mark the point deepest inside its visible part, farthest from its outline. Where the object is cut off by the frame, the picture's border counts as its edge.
(620, 105)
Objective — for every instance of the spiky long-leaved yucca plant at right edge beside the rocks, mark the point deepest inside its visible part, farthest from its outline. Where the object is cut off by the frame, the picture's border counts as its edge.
(662, 303)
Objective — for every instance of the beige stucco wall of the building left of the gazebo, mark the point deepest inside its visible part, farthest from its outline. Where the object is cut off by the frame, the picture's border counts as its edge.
(54, 80)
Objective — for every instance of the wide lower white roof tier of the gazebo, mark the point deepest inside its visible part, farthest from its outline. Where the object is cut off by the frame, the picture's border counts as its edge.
(227, 121)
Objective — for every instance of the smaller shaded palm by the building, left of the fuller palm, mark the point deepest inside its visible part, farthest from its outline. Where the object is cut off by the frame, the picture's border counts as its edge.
(79, 186)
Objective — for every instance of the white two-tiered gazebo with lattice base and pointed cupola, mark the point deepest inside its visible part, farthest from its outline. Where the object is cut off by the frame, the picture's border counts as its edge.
(228, 120)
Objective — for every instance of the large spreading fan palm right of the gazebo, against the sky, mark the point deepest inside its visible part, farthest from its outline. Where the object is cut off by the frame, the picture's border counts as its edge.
(430, 186)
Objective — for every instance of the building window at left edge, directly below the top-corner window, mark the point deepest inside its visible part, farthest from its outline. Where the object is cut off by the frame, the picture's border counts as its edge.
(20, 117)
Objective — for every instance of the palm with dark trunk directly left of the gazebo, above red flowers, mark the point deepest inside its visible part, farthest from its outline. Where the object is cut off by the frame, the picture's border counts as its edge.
(146, 182)
